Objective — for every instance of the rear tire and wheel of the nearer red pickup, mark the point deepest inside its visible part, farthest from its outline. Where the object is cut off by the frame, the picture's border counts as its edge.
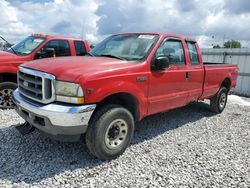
(219, 101)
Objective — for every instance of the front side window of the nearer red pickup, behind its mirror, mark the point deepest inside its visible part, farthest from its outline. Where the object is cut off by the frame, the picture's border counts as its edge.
(173, 49)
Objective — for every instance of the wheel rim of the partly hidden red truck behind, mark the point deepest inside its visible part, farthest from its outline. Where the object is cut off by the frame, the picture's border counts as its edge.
(6, 98)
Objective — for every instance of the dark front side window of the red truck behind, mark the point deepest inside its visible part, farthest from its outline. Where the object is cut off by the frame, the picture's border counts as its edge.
(61, 47)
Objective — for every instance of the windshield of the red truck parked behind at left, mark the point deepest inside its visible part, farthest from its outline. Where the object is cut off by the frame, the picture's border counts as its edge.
(28, 45)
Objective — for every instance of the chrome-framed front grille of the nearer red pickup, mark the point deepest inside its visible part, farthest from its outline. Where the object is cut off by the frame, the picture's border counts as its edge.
(36, 85)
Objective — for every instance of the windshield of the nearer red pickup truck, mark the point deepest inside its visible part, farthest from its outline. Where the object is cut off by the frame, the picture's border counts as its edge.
(125, 46)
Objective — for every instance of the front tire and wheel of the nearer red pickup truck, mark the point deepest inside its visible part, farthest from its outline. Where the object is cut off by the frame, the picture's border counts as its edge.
(110, 132)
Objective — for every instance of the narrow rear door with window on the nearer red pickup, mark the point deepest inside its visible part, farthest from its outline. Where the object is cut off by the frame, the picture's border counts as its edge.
(195, 72)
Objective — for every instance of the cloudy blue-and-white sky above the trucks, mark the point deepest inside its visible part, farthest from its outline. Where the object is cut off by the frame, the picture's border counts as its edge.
(209, 21)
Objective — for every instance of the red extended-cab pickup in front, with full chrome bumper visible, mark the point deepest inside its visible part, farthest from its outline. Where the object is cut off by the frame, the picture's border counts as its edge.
(124, 78)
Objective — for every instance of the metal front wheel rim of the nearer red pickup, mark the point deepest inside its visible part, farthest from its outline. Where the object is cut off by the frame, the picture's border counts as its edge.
(116, 133)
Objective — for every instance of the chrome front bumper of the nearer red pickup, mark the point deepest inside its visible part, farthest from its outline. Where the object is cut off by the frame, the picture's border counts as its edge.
(54, 118)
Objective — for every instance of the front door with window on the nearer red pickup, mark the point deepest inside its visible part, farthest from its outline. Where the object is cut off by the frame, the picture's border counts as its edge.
(168, 88)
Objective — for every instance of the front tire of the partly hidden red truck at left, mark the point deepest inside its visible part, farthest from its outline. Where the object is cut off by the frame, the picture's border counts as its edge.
(6, 90)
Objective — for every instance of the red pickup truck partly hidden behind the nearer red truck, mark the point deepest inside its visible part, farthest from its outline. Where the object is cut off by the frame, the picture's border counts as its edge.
(36, 46)
